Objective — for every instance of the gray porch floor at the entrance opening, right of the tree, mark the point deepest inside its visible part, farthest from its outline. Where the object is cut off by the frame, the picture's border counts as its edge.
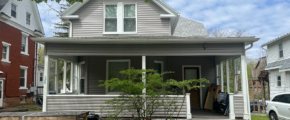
(199, 114)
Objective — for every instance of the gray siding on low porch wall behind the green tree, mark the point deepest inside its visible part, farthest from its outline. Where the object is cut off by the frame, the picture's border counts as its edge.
(98, 105)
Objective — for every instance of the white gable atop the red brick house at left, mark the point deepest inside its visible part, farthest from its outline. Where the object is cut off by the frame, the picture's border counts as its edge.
(23, 7)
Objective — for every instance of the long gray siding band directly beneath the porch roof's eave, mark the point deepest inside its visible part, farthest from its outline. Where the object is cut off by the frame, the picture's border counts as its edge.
(145, 49)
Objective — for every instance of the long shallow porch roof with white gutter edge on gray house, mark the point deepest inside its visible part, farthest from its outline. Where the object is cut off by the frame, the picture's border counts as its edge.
(144, 40)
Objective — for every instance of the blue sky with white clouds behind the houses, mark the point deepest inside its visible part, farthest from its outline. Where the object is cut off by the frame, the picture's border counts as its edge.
(265, 19)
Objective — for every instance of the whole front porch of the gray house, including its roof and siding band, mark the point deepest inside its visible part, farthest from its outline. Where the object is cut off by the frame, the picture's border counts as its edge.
(90, 58)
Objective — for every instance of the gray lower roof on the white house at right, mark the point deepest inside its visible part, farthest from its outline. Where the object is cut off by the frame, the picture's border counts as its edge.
(285, 64)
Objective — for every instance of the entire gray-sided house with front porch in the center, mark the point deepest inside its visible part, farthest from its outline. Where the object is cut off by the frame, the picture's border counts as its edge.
(108, 36)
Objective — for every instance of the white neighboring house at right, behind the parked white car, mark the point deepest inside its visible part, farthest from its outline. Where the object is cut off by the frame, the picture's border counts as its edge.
(278, 60)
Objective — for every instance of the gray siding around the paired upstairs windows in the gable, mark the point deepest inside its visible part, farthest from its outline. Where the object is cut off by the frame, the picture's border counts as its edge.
(149, 22)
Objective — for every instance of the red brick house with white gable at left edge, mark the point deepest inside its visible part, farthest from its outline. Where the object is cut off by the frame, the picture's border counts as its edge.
(19, 22)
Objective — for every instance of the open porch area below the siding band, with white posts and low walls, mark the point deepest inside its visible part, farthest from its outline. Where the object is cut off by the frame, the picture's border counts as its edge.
(85, 95)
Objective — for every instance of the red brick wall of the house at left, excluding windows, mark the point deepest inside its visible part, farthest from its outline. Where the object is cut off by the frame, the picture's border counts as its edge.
(13, 36)
